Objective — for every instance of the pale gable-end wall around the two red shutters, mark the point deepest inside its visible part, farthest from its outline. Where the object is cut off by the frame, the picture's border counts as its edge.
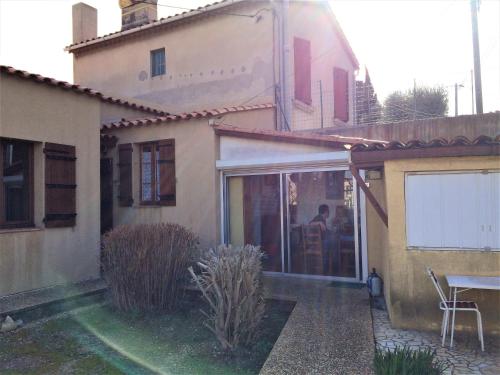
(310, 21)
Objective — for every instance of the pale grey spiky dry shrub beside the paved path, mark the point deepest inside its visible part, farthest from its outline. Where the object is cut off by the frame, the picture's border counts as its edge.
(231, 283)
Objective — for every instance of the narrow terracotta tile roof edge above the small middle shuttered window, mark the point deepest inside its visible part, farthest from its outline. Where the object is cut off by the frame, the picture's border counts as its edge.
(184, 116)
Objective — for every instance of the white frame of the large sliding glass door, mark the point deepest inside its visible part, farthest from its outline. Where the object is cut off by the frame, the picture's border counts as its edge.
(358, 205)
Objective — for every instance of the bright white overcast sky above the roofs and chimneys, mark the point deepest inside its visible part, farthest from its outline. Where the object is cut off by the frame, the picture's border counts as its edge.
(399, 41)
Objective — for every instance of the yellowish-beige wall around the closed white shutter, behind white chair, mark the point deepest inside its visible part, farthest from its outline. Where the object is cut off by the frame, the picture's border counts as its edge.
(413, 299)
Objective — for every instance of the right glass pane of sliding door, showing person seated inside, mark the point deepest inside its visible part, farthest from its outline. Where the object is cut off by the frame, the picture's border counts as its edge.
(321, 223)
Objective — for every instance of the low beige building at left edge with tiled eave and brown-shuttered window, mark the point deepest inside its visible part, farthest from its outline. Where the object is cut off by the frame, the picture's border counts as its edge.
(50, 200)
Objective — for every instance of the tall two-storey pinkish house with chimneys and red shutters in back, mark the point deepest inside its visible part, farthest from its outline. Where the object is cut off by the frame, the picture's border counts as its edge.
(291, 54)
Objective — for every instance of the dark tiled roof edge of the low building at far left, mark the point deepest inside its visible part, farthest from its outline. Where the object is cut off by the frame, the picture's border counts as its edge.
(78, 89)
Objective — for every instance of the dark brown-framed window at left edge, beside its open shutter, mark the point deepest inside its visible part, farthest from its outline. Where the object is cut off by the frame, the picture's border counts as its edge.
(16, 184)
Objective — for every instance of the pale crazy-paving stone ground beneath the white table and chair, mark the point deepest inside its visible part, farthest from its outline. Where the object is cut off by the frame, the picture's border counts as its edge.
(466, 356)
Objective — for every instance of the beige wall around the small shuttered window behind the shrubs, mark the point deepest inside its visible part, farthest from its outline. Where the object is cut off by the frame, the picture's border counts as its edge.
(197, 185)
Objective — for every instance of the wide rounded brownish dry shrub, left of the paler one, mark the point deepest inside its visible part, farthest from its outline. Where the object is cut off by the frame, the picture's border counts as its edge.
(145, 264)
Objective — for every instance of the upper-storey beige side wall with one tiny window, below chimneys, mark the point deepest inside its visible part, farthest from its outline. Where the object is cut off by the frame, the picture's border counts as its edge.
(210, 62)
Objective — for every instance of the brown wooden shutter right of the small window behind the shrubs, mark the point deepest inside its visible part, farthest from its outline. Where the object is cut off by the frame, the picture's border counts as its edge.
(166, 169)
